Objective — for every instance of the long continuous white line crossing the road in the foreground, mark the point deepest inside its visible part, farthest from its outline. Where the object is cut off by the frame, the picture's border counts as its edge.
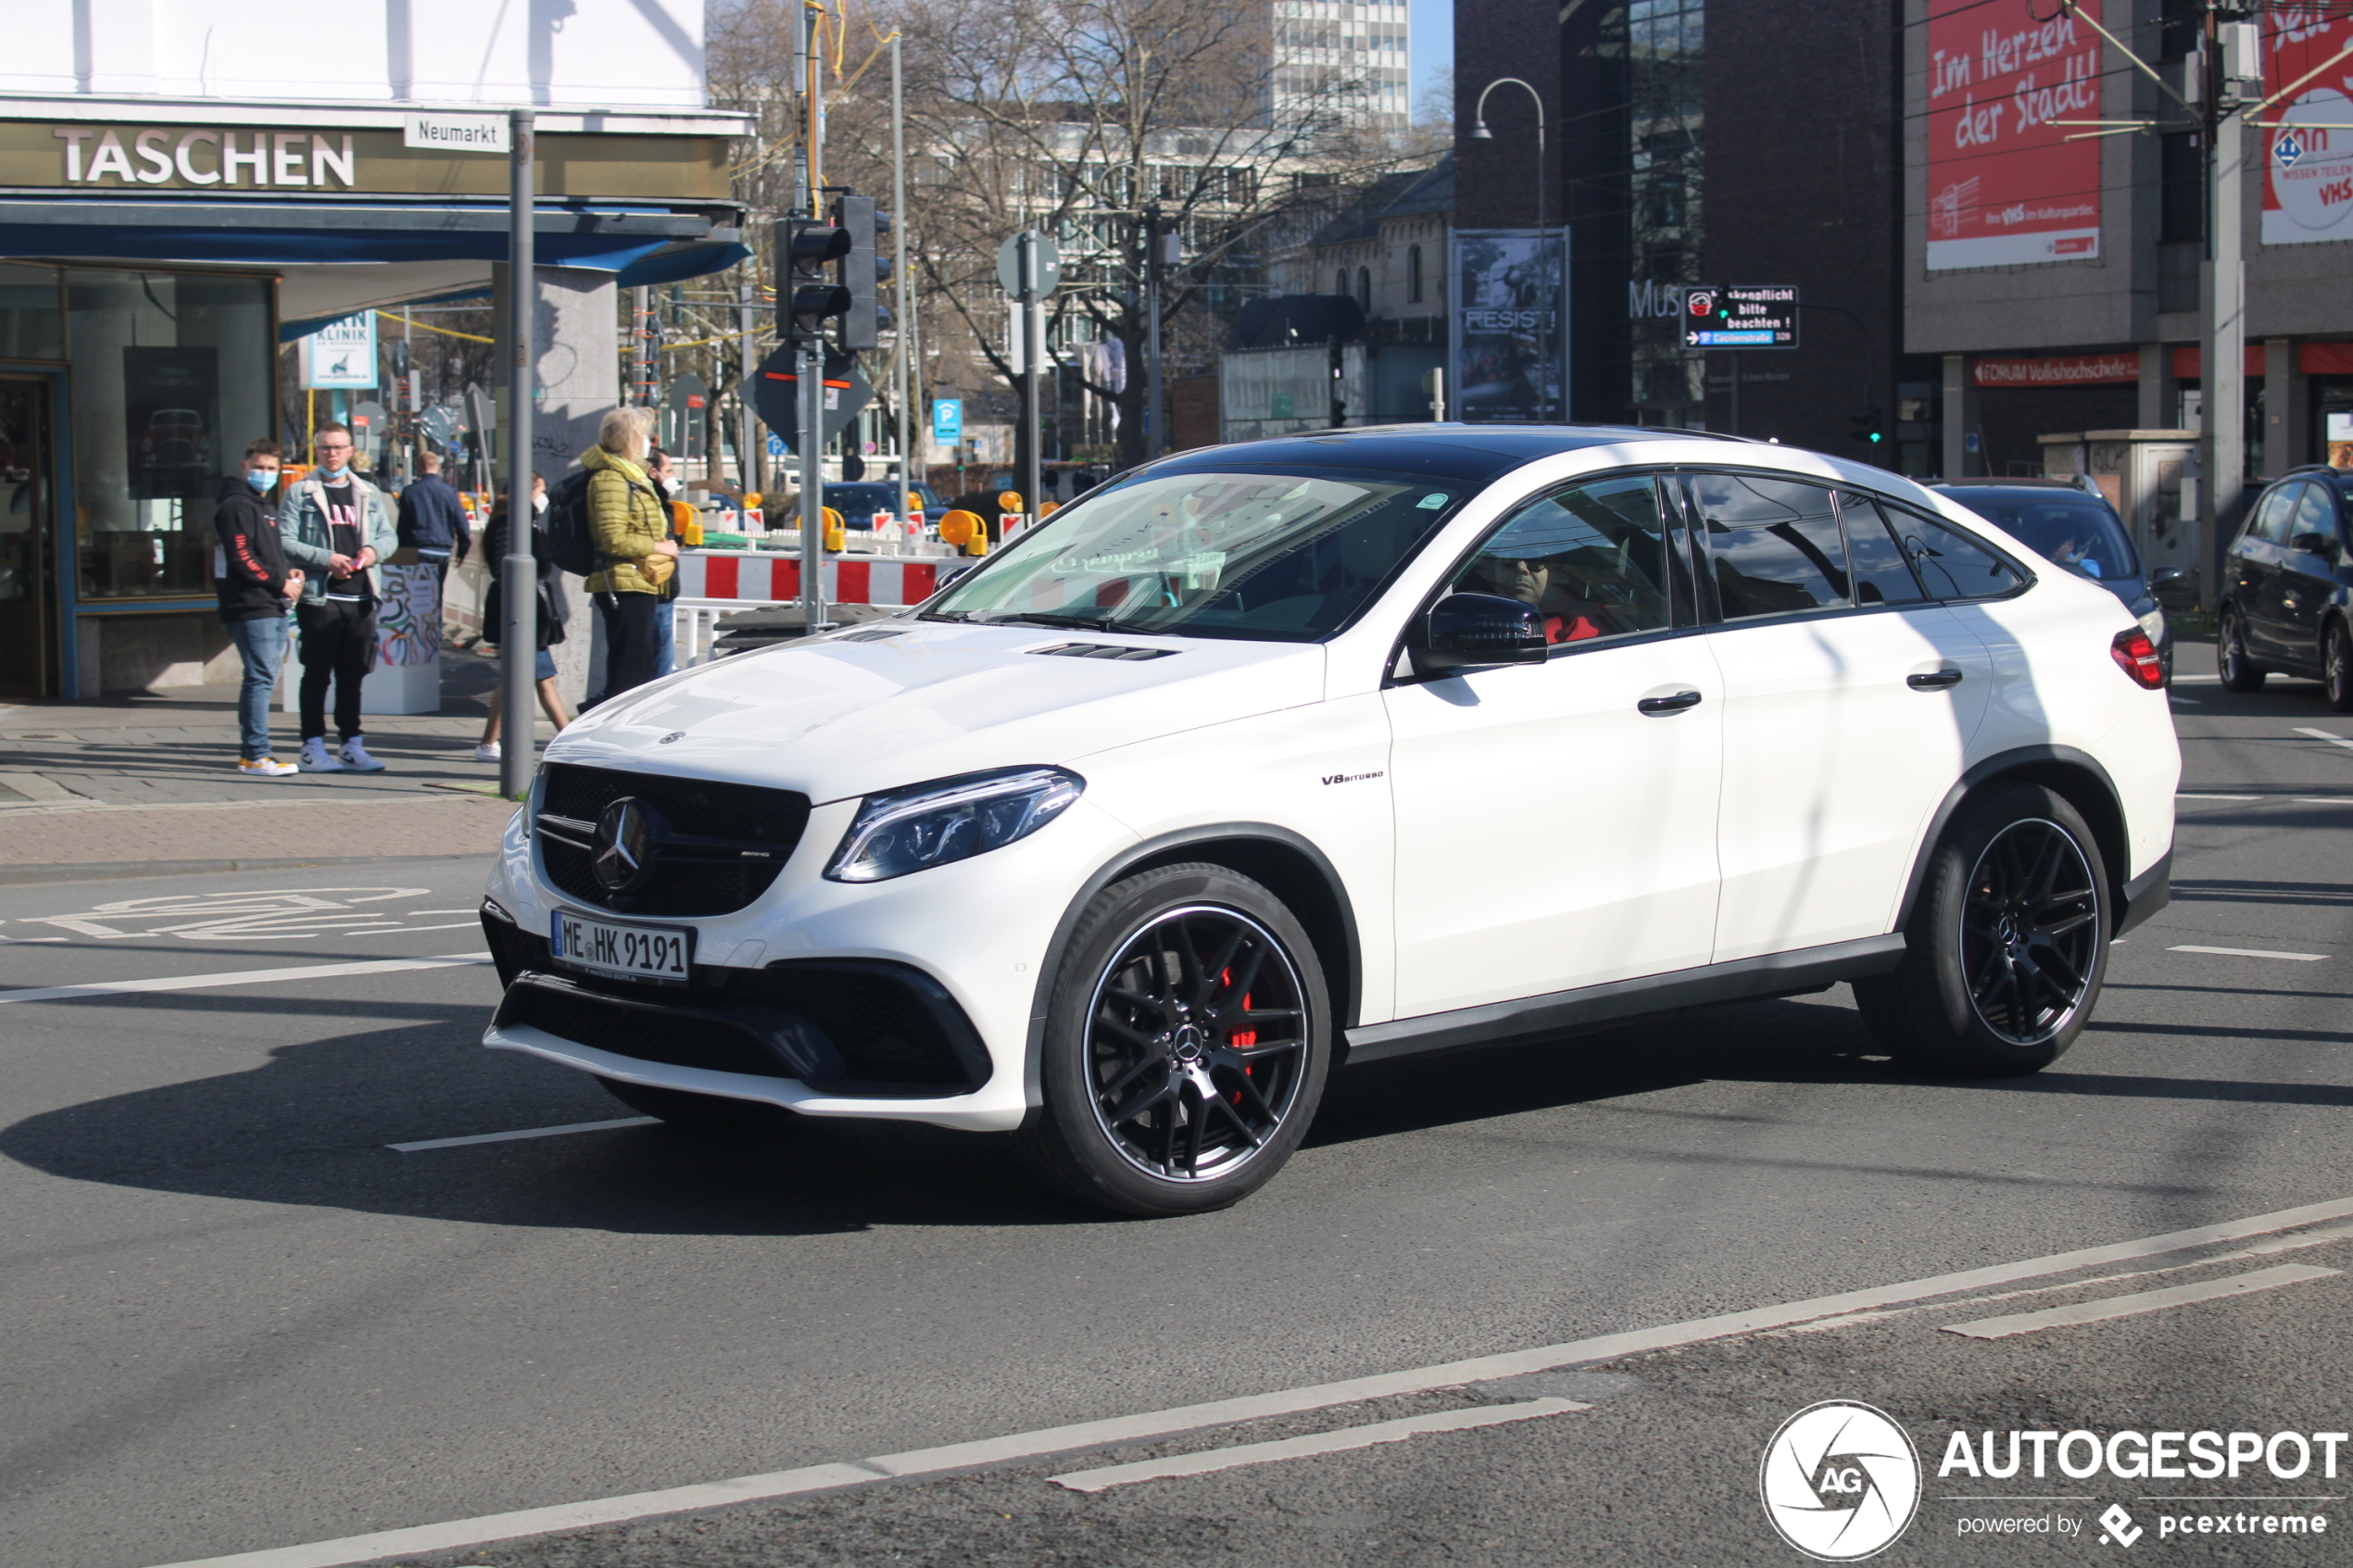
(1227, 1412)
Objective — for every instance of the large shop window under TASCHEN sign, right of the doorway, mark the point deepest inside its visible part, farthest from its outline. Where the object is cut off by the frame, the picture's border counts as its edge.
(173, 375)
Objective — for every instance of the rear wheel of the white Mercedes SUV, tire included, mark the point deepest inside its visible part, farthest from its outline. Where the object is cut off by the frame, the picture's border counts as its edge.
(2008, 942)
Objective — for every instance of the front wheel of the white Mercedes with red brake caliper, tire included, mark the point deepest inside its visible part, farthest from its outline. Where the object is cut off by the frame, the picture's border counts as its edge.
(1187, 1043)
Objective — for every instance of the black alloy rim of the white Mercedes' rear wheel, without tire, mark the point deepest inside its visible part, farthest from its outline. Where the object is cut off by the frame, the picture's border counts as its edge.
(2029, 932)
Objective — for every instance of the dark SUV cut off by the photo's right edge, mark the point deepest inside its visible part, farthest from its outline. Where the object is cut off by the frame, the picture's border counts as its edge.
(2286, 589)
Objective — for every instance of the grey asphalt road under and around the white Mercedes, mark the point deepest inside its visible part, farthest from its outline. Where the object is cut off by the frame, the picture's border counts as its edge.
(236, 1320)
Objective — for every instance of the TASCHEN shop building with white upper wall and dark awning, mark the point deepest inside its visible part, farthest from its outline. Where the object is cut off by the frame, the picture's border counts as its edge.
(171, 215)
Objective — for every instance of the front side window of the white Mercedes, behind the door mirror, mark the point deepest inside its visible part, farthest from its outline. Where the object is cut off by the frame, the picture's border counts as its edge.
(1592, 561)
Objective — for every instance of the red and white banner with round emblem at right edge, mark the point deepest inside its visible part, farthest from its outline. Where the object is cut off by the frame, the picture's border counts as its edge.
(2307, 147)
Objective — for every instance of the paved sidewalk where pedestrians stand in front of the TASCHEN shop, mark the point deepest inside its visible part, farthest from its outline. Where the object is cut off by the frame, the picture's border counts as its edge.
(147, 786)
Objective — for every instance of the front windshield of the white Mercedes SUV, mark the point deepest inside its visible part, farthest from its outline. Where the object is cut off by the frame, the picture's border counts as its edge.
(1227, 554)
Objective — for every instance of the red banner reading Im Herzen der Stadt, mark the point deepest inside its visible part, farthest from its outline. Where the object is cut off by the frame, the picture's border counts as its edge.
(2006, 187)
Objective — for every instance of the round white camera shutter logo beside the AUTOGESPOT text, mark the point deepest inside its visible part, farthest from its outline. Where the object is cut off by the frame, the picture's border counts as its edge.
(1841, 1482)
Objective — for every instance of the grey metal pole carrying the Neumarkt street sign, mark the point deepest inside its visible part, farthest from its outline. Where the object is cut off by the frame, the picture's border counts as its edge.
(519, 572)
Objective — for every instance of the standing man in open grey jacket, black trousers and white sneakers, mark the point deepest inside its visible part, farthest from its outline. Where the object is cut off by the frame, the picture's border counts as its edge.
(338, 528)
